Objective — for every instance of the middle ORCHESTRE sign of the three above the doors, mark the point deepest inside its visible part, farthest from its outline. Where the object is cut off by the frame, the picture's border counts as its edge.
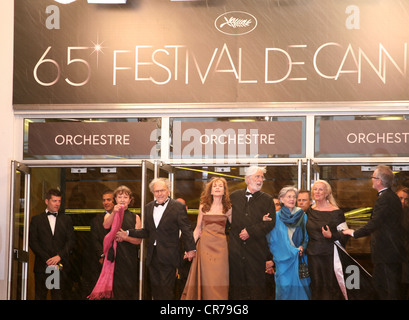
(230, 140)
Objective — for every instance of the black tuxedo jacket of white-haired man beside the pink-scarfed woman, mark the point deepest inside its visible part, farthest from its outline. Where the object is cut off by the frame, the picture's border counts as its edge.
(166, 235)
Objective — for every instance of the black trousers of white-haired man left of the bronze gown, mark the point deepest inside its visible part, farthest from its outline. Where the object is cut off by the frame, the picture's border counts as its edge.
(162, 278)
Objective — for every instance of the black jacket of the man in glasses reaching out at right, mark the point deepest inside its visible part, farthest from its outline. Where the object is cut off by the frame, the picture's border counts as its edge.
(385, 228)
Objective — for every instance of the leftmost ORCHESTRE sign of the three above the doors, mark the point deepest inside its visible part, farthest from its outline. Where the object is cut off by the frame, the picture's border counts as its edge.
(83, 138)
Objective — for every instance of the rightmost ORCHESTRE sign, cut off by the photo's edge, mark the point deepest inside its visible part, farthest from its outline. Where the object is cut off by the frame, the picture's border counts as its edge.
(365, 137)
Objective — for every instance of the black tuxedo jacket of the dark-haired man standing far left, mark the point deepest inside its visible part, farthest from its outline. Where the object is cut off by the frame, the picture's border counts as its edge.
(46, 245)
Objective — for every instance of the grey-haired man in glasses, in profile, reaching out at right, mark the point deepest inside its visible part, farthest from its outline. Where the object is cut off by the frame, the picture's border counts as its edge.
(385, 228)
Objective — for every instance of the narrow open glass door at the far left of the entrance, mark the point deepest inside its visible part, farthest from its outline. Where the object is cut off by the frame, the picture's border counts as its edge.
(18, 265)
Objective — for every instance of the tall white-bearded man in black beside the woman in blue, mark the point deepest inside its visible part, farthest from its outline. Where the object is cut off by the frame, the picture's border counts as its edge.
(248, 250)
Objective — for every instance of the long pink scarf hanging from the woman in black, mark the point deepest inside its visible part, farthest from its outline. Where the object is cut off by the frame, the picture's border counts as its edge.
(103, 288)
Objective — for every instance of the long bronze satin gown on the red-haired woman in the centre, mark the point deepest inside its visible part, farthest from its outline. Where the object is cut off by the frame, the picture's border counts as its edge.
(208, 277)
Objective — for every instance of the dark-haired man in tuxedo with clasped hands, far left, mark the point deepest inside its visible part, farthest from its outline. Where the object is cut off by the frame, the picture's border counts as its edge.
(52, 239)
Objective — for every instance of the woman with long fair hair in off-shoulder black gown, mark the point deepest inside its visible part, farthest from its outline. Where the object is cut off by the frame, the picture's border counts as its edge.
(324, 224)
